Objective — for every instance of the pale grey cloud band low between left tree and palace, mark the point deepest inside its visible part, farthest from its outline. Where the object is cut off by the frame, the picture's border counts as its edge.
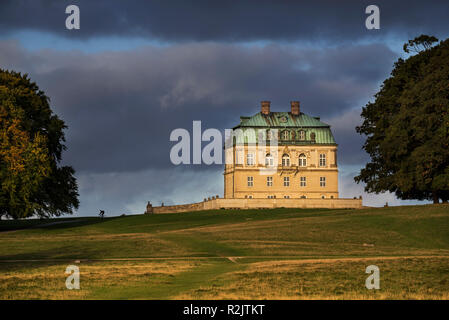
(128, 192)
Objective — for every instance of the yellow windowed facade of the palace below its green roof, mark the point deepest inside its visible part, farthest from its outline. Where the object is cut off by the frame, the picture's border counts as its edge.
(256, 181)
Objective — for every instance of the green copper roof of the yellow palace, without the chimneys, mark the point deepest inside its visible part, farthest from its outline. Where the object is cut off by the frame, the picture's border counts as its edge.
(294, 124)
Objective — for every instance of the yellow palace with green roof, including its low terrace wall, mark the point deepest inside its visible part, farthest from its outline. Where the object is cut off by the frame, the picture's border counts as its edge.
(276, 160)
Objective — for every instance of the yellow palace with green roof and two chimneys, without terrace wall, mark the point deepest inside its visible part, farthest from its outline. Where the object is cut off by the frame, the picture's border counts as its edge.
(302, 164)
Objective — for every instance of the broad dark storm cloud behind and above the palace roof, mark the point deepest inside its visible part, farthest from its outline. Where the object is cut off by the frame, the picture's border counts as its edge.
(121, 106)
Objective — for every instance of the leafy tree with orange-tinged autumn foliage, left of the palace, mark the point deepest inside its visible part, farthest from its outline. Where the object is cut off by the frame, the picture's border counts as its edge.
(31, 145)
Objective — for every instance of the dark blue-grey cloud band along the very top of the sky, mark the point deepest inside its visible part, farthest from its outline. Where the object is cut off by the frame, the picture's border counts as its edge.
(328, 20)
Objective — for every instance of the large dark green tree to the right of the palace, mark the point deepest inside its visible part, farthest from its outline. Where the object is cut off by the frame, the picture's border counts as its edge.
(407, 127)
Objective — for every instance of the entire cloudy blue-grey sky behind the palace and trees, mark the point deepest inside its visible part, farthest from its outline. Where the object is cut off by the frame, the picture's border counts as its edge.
(137, 70)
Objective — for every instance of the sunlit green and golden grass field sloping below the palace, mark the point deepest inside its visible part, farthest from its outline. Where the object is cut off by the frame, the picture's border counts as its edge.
(231, 254)
